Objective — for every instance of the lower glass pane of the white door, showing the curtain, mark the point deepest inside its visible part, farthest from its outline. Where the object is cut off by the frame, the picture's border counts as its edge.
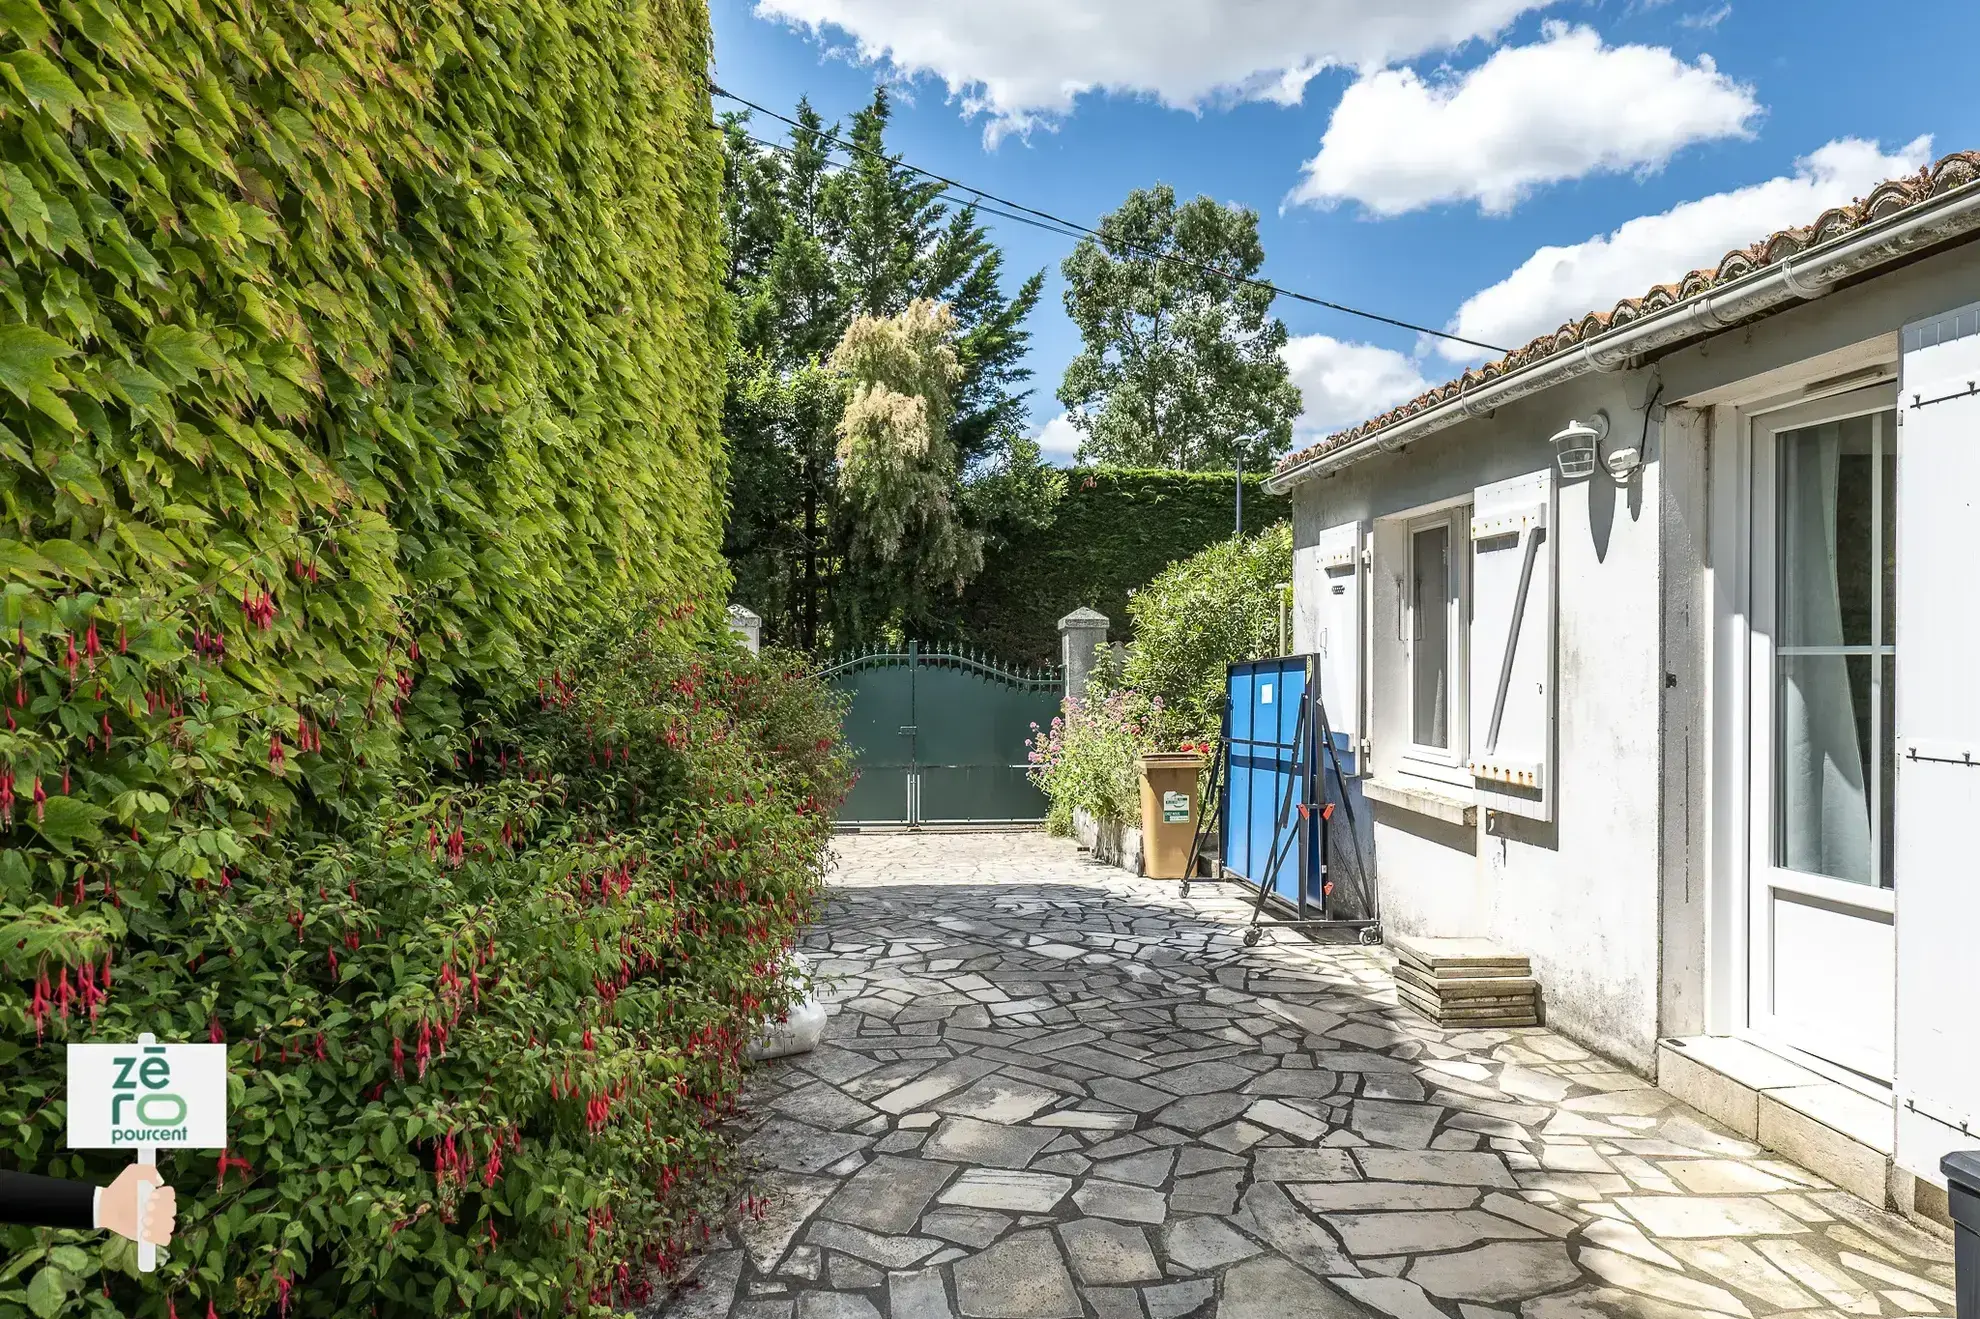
(1823, 740)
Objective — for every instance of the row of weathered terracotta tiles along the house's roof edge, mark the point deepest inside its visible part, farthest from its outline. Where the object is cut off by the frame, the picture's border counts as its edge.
(1884, 201)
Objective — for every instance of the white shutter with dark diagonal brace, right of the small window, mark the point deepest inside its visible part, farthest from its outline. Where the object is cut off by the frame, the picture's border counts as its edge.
(1512, 692)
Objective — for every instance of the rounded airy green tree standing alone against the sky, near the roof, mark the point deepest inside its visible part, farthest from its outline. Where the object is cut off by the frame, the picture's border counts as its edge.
(1183, 361)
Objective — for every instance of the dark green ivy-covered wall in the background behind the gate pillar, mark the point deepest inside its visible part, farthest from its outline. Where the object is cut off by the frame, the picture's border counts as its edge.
(1114, 532)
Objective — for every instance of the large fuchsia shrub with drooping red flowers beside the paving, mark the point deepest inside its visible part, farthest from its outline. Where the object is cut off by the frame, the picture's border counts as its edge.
(478, 1047)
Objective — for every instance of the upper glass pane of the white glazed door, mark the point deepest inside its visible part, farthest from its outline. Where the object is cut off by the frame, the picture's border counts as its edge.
(1825, 524)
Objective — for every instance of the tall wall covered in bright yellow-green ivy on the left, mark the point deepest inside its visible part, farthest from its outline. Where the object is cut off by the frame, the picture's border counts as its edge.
(419, 294)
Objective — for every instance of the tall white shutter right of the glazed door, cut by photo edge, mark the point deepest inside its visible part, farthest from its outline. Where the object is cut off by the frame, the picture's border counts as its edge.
(1937, 742)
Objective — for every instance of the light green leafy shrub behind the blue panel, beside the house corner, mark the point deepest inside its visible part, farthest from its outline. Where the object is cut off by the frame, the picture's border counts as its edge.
(1201, 617)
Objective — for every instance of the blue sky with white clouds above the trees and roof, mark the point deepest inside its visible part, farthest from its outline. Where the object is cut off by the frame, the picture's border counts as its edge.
(1478, 165)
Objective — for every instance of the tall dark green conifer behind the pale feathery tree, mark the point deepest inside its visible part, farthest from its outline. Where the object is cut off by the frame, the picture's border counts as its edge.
(821, 237)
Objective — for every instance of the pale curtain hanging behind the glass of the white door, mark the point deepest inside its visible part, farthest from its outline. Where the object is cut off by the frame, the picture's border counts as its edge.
(1825, 807)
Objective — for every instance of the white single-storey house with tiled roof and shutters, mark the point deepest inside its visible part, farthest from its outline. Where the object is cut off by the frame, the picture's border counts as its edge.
(1694, 720)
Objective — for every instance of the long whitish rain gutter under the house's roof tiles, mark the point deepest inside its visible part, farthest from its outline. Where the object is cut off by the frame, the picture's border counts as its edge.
(1799, 278)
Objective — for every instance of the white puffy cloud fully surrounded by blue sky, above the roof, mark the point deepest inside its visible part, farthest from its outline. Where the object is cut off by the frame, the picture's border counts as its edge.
(1530, 116)
